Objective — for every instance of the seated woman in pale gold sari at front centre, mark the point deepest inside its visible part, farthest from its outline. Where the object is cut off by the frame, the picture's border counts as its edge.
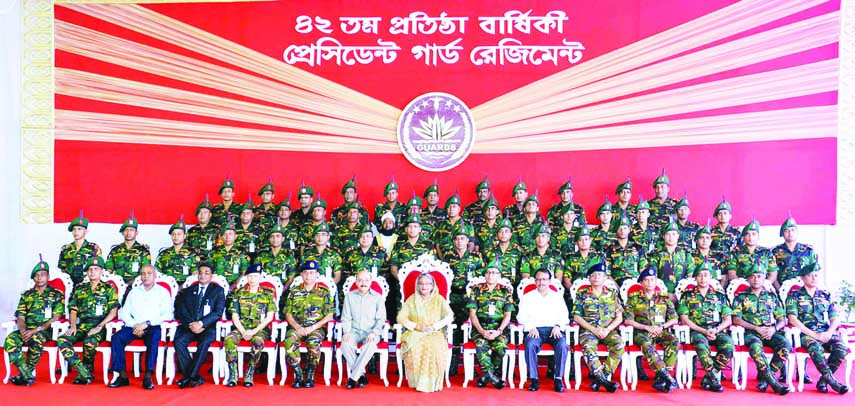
(424, 345)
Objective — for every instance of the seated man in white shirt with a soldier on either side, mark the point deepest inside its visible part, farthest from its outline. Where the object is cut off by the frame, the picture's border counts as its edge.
(543, 314)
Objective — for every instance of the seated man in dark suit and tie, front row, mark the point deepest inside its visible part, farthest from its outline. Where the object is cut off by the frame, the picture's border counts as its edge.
(197, 309)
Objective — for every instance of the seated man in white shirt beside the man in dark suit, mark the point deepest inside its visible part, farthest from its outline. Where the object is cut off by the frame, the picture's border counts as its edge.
(146, 307)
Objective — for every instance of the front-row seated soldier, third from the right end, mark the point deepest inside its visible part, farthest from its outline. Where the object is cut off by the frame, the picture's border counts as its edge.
(707, 314)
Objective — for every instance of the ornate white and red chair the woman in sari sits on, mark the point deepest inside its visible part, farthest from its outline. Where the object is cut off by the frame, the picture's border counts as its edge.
(408, 274)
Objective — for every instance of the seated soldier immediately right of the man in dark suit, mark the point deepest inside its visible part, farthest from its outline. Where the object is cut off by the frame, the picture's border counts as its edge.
(252, 309)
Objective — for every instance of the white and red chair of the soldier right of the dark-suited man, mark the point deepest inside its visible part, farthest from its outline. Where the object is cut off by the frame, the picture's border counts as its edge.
(244, 346)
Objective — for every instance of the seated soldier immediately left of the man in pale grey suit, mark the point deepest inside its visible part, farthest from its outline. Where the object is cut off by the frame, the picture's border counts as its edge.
(308, 310)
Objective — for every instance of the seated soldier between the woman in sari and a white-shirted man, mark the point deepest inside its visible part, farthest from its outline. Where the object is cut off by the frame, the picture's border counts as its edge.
(490, 306)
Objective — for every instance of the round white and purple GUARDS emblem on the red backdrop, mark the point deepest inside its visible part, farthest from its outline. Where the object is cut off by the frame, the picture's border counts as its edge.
(436, 131)
